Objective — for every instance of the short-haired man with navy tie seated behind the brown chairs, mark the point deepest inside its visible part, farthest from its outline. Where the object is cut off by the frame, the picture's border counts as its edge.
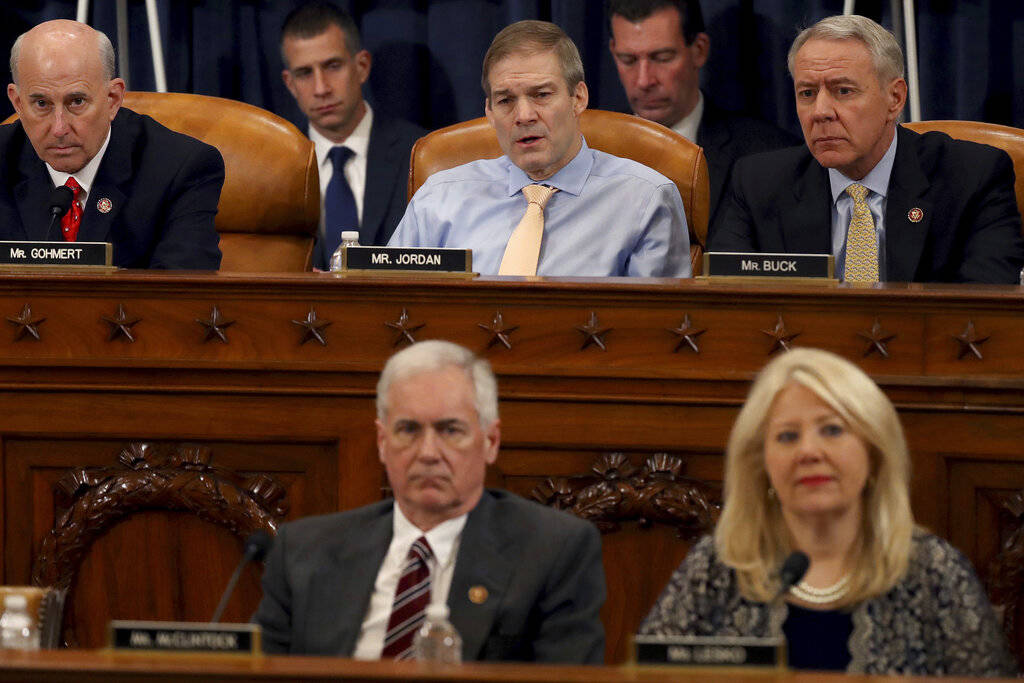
(363, 155)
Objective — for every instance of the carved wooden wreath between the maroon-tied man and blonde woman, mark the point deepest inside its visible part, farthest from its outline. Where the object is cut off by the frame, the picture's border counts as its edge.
(619, 492)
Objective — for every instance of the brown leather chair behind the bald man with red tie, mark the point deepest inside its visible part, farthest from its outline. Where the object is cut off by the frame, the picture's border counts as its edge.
(270, 207)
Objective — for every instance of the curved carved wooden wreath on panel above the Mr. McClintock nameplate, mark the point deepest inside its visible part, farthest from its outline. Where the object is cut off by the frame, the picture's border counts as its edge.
(92, 500)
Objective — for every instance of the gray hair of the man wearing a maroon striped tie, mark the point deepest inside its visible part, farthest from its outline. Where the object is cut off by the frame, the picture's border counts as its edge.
(433, 356)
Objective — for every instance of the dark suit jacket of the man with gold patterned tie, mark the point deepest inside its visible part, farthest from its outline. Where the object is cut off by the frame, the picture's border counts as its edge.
(970, 231)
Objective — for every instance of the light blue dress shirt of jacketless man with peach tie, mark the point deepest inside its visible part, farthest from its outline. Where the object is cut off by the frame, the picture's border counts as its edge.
(612, 217)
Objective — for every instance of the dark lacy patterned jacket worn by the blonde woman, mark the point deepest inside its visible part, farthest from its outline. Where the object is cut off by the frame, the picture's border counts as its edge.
(935, 622)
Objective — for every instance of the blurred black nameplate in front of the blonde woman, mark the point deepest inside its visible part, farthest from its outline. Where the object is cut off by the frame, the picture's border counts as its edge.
(708, 652)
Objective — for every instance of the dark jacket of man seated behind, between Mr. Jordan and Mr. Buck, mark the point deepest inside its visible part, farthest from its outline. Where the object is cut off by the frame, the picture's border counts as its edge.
(726, 138)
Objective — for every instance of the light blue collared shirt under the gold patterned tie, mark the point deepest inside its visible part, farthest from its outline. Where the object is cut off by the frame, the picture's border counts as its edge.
(877, 183)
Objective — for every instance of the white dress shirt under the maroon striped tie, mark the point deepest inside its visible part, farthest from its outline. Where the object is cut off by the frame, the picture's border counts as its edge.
(444, 540)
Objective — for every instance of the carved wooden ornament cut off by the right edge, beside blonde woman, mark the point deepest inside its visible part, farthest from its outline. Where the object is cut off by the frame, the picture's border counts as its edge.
(1005, 575)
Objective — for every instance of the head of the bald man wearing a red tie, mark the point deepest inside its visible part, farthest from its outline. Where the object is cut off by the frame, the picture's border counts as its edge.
(64, 92)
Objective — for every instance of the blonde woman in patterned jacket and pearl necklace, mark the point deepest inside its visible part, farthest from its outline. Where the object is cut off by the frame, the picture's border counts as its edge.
(818, 462)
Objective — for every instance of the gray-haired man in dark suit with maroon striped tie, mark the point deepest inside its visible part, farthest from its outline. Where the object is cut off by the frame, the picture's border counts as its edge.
(523, 582)
